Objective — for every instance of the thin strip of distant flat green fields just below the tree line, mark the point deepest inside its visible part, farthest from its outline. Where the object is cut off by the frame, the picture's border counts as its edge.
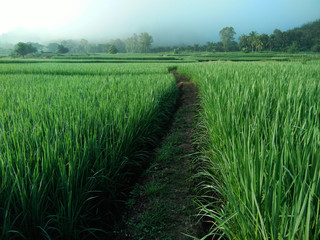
(166, 57)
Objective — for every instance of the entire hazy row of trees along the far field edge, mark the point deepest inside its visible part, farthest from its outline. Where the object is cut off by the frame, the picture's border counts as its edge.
(305, 38)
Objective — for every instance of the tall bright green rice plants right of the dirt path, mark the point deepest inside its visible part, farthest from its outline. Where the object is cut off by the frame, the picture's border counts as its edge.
(261, 138)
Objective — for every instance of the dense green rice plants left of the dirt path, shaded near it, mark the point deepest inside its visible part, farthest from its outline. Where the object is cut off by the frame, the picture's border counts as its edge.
(68, 145)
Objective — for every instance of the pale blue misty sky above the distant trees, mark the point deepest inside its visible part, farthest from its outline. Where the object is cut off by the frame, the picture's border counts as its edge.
(169, 22)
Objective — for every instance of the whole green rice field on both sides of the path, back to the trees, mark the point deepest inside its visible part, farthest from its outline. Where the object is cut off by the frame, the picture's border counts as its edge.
(75, 130)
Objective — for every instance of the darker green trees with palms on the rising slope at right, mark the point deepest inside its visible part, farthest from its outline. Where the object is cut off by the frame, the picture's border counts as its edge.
(302, 39)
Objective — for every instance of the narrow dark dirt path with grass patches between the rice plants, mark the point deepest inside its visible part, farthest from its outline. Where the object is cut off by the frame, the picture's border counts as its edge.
(161, 205)
